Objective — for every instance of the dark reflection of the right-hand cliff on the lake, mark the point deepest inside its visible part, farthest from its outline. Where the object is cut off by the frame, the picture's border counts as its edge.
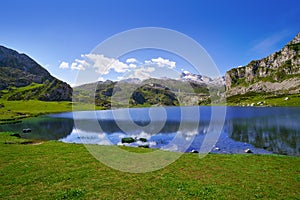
(277, 133)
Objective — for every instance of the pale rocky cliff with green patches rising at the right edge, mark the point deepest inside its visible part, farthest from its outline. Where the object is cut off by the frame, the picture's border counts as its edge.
(279, 73)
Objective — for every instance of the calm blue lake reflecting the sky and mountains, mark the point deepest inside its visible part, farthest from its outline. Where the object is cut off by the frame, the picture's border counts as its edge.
(264, 130)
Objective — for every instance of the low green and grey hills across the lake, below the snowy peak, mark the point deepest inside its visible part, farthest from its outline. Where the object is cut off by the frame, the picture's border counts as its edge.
(149, 92)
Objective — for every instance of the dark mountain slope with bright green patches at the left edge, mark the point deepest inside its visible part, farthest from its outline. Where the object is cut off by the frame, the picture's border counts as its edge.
(21, 78)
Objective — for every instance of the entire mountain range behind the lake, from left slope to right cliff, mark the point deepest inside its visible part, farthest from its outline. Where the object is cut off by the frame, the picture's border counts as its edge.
(21, 78)
